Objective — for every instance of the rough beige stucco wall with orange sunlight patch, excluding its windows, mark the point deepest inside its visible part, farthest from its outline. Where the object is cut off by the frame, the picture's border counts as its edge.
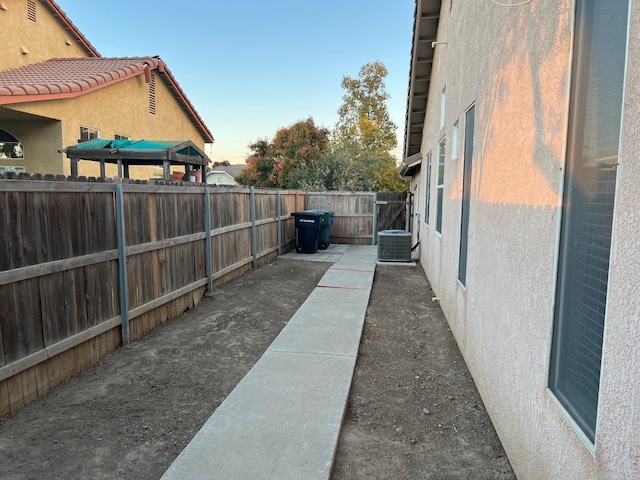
(513, 63)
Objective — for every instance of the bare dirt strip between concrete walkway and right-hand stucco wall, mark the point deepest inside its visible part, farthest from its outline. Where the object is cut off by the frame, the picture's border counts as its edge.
(414, 411)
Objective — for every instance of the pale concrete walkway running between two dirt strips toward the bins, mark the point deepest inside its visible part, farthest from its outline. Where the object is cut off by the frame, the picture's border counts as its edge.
(283, 419)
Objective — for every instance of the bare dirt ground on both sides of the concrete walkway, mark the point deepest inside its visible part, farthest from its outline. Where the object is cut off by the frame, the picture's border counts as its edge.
(130, 416)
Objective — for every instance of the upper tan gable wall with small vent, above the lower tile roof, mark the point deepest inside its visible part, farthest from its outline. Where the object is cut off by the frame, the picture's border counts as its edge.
(44, 39)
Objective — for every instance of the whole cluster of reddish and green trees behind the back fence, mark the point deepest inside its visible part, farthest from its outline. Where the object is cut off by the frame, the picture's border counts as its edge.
(357, 158)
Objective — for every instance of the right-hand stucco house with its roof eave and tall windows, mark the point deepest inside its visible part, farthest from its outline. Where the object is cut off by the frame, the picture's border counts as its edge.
(521, 144)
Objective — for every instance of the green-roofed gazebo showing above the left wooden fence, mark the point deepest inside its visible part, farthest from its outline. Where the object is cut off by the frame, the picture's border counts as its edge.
(124, 153)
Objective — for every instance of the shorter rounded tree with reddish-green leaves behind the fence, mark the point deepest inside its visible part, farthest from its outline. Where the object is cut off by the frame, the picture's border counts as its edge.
(300, 146)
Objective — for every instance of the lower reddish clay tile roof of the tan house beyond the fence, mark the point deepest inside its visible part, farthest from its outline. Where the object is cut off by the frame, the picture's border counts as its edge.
(61, 78)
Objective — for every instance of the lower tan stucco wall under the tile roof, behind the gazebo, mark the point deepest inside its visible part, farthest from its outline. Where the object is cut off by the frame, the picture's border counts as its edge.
(122, 108)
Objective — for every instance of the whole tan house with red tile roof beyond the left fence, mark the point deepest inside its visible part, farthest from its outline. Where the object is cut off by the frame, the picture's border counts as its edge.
(56, 91)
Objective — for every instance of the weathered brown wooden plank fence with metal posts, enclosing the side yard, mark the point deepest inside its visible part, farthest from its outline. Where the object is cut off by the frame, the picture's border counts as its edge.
(86, 266)
